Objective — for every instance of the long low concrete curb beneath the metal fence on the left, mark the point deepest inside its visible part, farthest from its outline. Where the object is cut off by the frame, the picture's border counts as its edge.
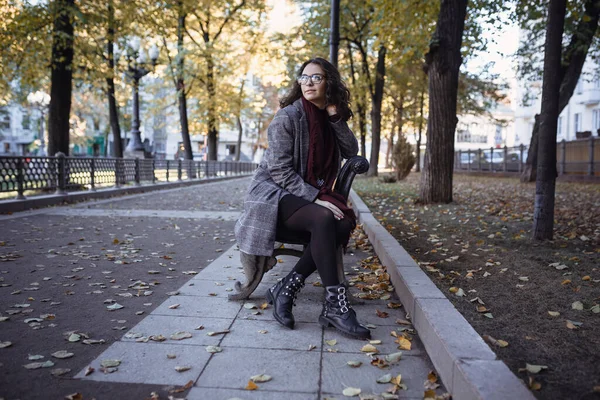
(9, 206)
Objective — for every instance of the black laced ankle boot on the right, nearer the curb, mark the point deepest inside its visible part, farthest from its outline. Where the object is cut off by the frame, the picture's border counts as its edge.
(338, 312)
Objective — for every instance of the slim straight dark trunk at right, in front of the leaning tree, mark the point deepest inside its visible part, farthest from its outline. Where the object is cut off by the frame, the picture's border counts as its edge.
(543, 216)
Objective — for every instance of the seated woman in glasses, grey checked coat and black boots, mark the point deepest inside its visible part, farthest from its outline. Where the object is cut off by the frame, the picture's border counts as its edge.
(291, 190)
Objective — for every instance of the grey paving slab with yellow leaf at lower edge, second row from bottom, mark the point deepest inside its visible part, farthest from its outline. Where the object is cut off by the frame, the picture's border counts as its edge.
(294, 371)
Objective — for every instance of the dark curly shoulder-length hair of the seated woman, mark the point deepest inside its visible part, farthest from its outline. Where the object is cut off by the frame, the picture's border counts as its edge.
(336, 91)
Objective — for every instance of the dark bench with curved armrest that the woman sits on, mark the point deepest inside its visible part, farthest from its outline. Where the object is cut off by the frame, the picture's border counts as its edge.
(256, 266)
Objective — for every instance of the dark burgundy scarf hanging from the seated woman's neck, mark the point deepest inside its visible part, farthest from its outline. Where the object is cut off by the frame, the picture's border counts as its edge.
(323, 159)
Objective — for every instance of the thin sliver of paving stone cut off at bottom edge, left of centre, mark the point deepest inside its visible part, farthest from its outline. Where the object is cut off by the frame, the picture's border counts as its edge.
(260, 394)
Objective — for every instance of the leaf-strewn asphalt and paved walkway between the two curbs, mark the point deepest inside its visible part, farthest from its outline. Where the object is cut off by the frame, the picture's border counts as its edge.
(63, 267)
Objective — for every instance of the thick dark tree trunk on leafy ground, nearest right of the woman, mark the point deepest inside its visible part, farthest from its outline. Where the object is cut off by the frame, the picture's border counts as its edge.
(442, 65)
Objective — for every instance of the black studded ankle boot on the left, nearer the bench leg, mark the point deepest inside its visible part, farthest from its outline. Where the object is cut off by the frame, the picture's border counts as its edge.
(283, 295)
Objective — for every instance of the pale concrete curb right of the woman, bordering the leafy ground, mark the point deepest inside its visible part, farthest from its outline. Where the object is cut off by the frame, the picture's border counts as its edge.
(465, 363)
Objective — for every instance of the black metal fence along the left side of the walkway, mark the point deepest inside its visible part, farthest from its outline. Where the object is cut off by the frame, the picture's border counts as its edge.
(63, 174)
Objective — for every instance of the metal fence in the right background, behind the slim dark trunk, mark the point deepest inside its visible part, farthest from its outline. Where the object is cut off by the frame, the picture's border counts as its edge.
(577, 157)
